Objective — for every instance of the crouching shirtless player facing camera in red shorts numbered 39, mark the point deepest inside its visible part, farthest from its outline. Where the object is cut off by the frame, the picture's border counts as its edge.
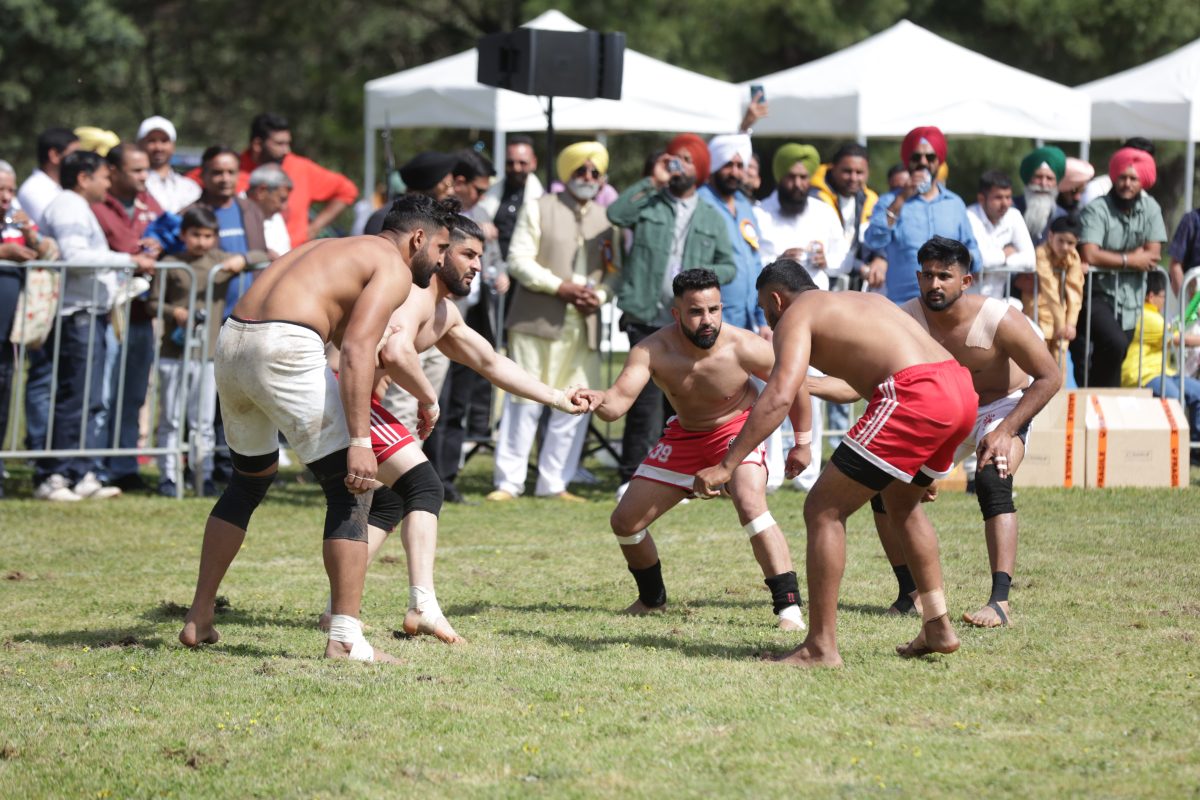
(705, 371)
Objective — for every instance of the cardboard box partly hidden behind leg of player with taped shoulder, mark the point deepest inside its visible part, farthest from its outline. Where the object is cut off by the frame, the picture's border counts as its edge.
(1055, 455)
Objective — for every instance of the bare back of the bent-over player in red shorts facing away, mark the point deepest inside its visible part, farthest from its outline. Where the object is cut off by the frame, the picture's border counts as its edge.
(860, 338)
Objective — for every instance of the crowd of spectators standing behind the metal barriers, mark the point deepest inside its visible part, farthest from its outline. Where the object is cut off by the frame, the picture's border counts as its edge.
(554, 257)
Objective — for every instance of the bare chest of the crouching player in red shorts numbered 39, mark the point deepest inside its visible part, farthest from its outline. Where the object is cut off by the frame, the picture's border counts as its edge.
(710, 390)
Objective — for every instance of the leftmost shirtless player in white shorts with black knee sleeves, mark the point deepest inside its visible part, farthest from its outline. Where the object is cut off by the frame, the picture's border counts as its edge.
(273, 377)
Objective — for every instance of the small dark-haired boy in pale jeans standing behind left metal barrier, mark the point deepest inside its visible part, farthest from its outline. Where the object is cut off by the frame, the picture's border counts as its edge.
(193, 396)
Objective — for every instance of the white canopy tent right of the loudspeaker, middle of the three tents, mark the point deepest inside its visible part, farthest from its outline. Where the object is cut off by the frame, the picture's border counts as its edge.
(907, 77)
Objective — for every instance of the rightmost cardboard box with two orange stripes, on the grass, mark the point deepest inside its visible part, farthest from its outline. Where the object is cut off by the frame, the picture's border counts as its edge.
(1136, 442)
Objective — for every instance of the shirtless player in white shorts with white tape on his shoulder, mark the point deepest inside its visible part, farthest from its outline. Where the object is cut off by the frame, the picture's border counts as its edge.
(1015, 376)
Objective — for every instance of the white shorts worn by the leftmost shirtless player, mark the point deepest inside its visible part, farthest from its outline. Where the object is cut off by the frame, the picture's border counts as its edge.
(273, 377)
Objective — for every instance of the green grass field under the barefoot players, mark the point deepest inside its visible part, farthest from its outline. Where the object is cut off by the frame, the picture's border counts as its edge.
(1093, 693)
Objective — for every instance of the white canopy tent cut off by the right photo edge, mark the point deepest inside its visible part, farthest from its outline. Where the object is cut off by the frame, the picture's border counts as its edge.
(1159, 100)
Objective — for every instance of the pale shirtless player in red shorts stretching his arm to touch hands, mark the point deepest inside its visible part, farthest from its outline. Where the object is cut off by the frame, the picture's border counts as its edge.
(411, 494)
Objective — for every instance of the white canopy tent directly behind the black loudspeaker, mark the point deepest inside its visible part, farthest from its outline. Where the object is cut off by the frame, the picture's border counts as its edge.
(656, 97)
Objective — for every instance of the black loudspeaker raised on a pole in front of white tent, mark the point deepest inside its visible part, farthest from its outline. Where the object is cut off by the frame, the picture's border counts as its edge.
(554, 64)
